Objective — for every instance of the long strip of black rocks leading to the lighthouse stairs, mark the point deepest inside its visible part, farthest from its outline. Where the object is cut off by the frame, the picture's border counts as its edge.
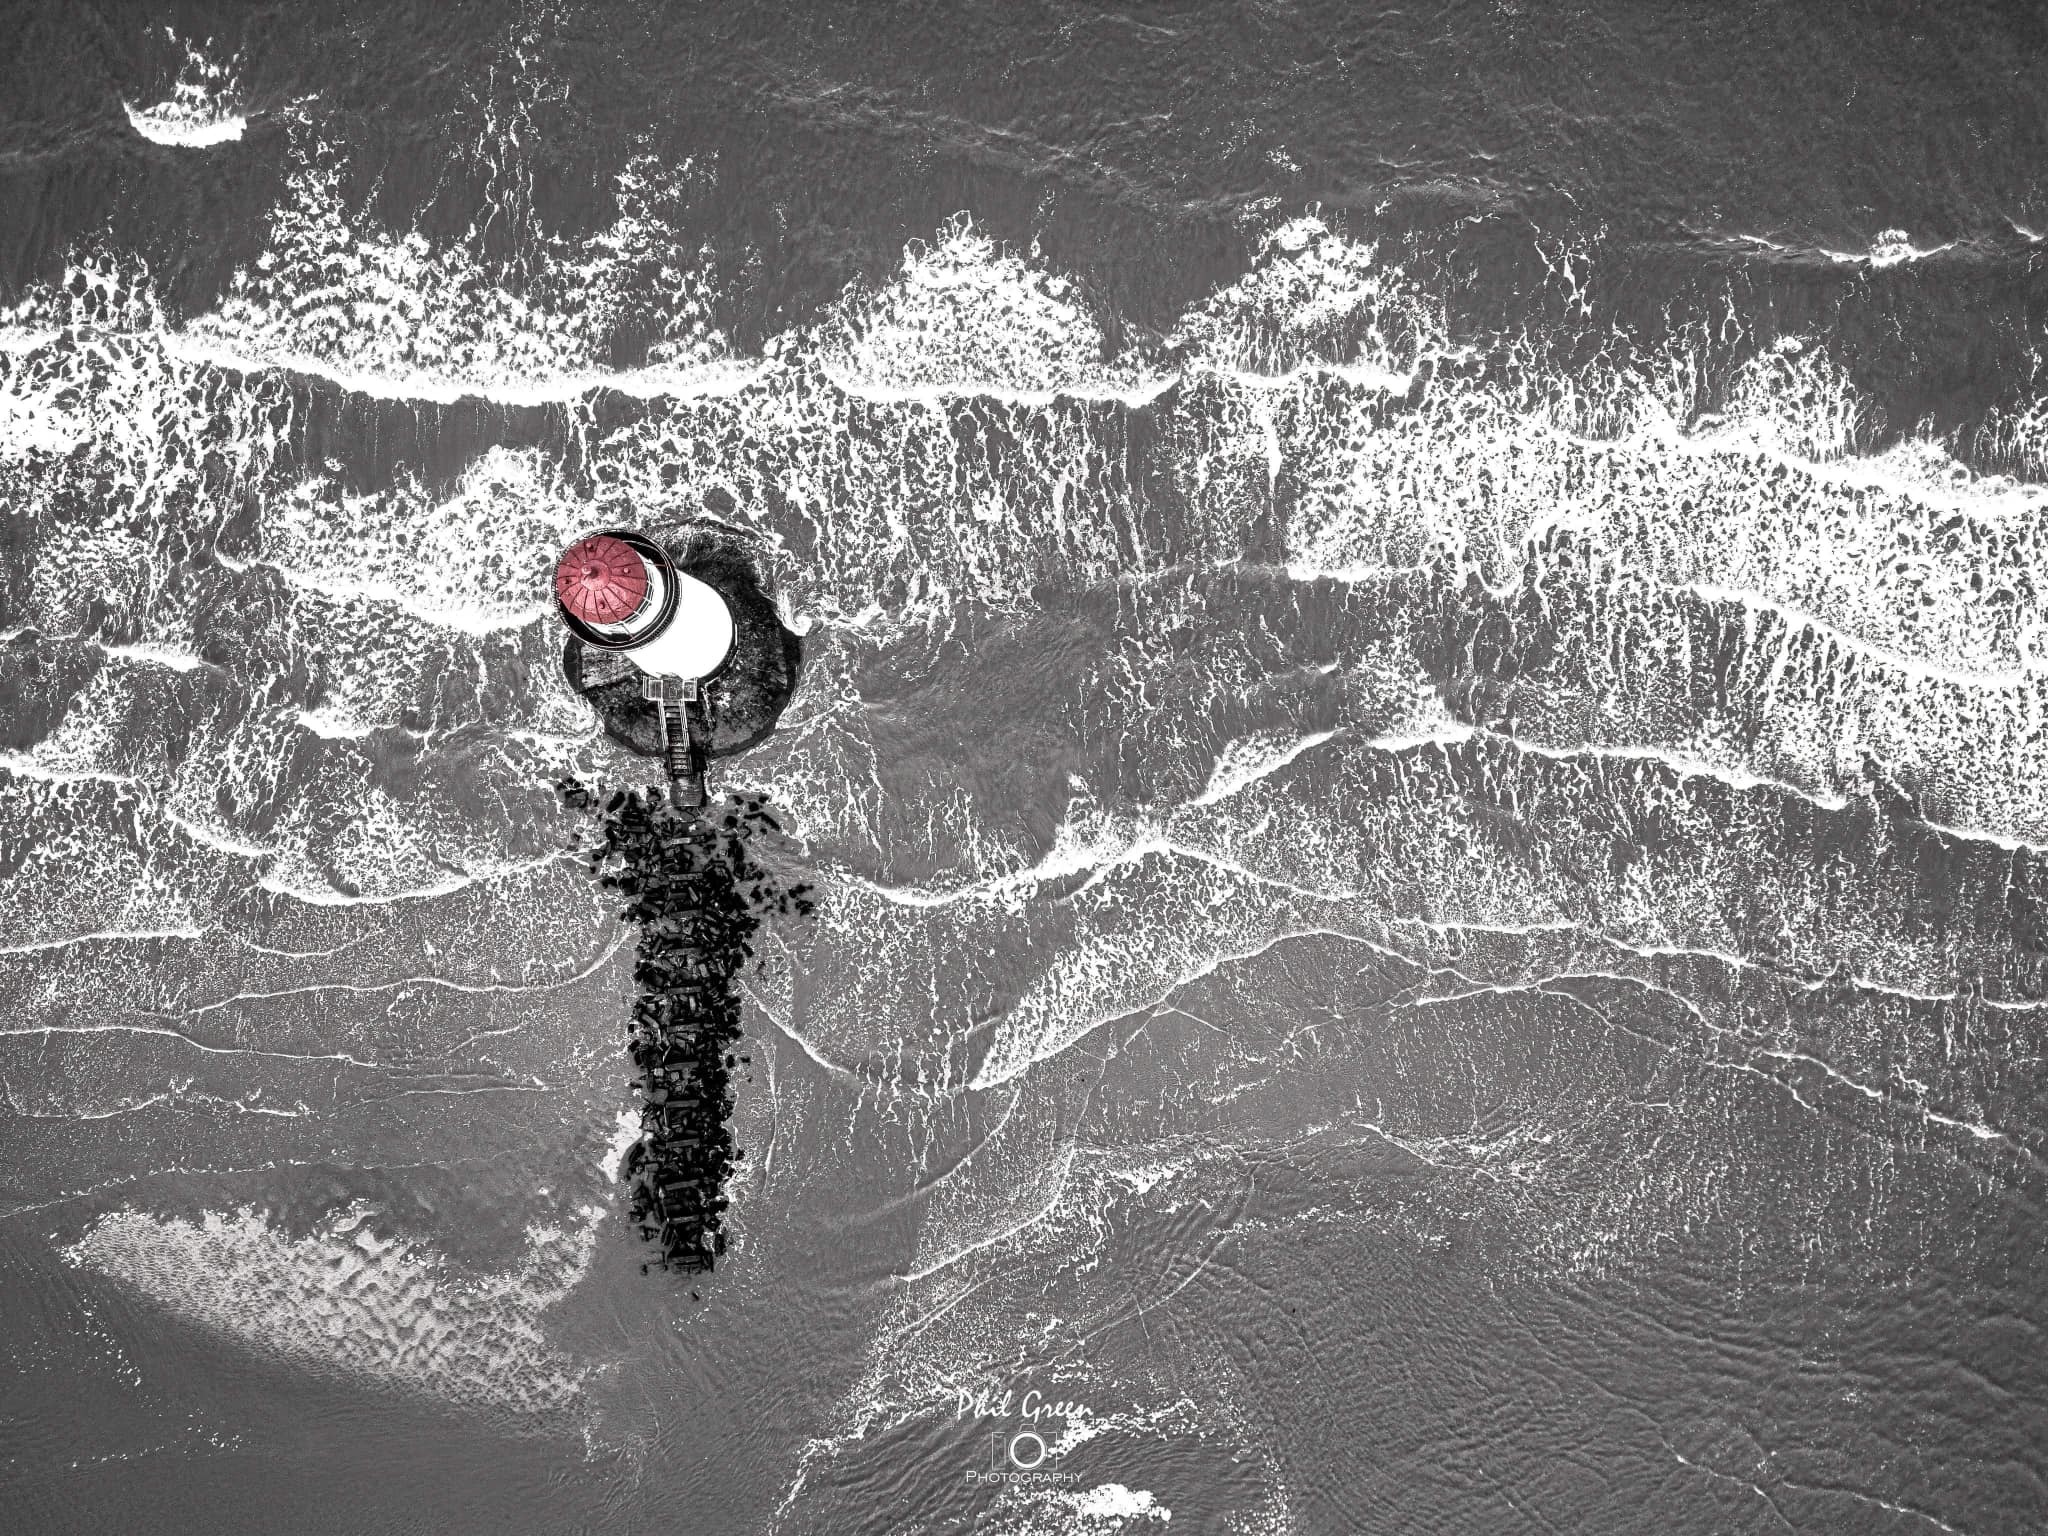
(699, 894)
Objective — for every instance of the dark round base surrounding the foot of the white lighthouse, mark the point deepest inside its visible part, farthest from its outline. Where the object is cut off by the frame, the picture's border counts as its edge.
(742, 703)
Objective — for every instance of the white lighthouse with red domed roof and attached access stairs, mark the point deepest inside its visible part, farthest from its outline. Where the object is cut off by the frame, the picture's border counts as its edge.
(624, 593)
